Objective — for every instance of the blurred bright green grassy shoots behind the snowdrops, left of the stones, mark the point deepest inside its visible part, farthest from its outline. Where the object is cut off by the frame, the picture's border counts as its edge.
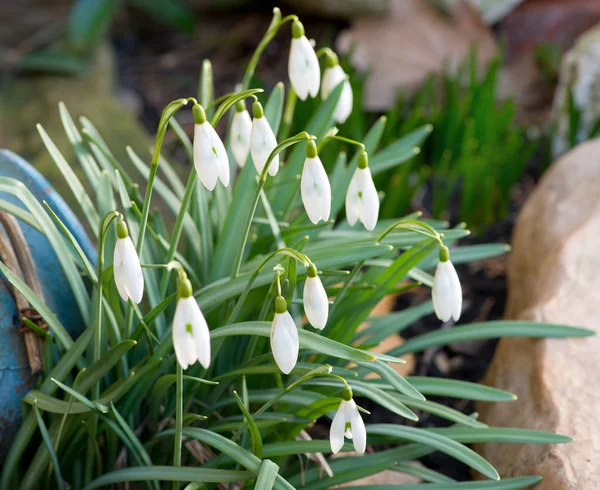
(474, 156)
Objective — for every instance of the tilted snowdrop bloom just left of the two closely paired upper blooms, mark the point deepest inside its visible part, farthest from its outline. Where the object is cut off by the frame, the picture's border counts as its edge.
(210, 157)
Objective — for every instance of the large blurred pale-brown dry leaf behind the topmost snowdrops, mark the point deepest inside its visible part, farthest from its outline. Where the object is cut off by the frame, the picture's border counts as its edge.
(413, 41)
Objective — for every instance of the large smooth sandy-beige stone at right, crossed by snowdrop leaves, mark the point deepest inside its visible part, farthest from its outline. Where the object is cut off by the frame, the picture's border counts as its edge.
(553, 277)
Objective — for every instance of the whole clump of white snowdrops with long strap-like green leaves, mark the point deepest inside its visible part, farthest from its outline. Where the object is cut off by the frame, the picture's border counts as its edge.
(254, 282)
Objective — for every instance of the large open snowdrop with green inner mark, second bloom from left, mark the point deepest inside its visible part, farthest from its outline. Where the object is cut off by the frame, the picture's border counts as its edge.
(191, 337)
